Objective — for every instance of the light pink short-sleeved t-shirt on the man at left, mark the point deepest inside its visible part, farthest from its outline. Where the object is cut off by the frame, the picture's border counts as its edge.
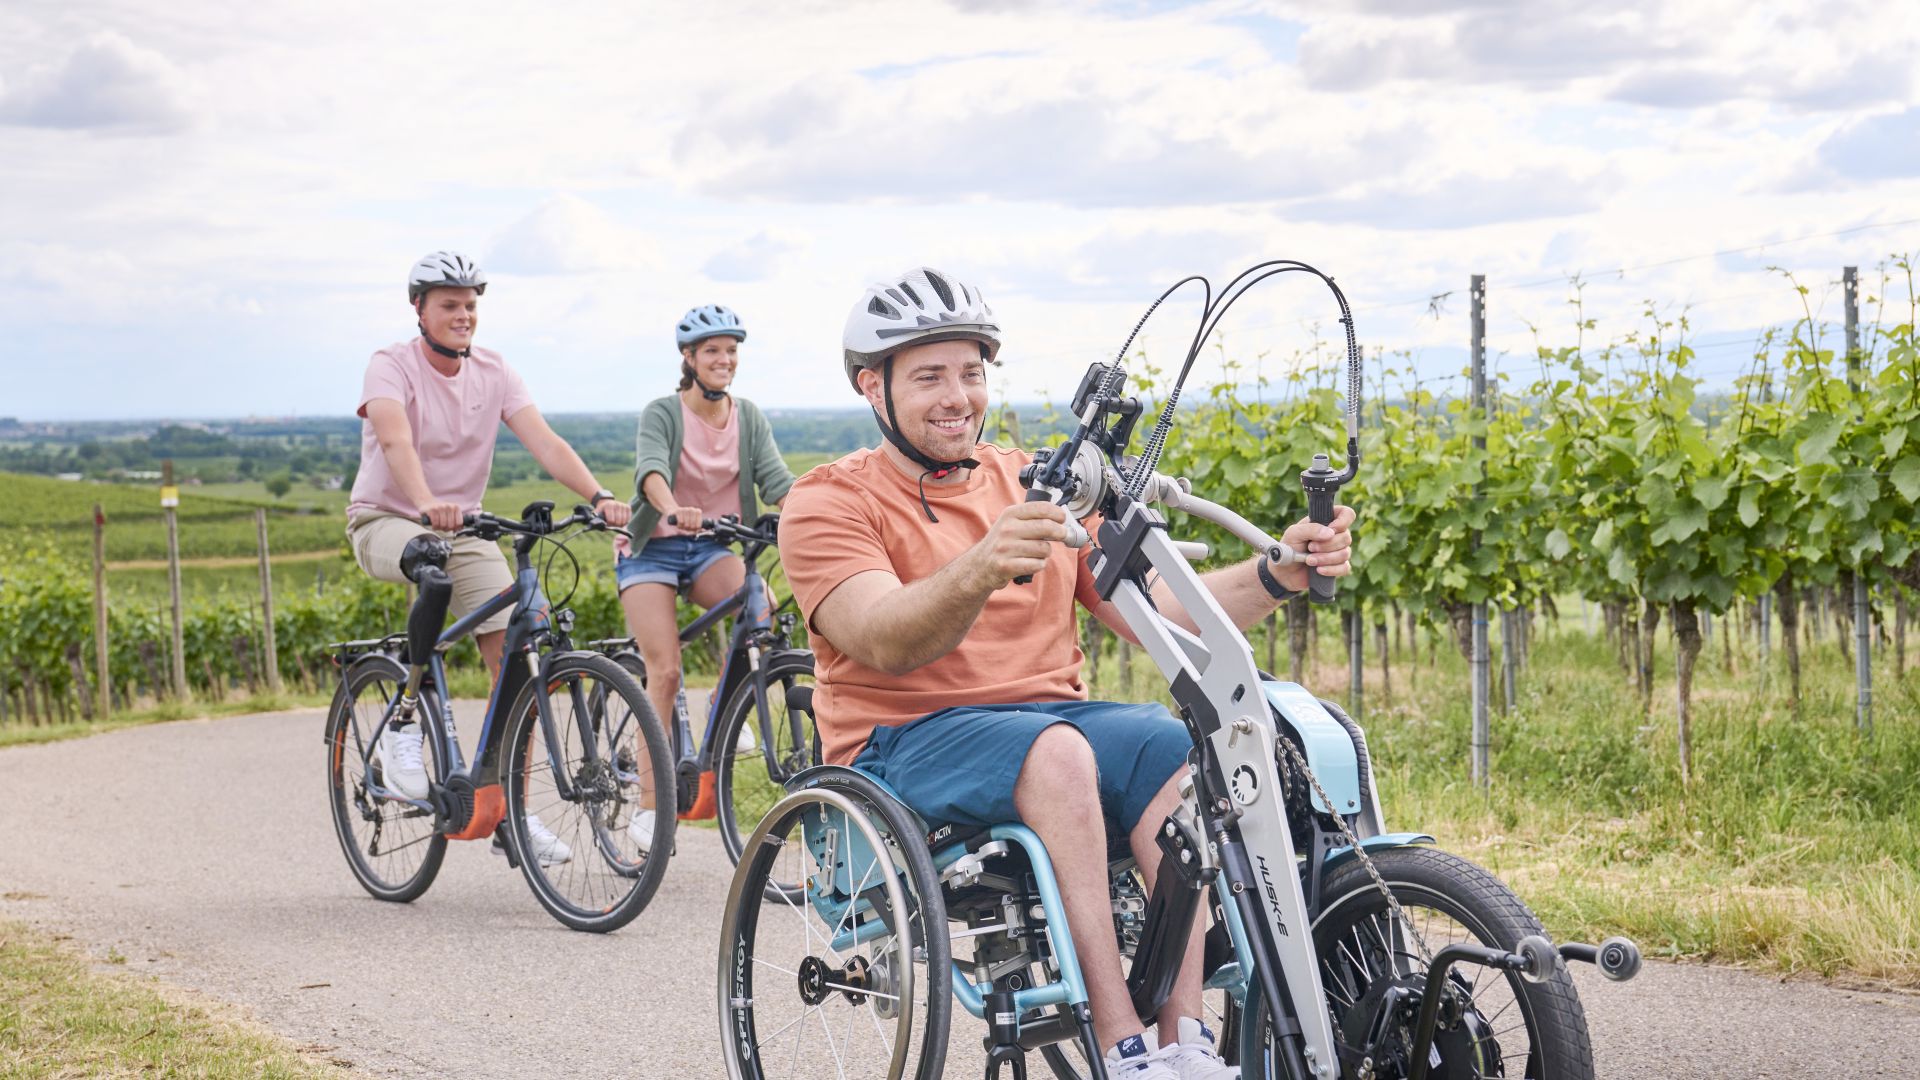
(456, 422)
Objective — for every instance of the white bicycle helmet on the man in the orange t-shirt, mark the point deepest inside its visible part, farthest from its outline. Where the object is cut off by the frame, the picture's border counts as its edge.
(917, 308)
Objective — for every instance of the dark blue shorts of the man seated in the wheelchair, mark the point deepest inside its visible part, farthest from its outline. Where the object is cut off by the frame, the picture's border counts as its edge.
(961, 766)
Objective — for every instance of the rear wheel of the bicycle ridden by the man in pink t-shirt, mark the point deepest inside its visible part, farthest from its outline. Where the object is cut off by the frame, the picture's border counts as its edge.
(391, 845)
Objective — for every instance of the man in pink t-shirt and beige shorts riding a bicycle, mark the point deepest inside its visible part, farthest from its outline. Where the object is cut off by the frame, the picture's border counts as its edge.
(431, 412)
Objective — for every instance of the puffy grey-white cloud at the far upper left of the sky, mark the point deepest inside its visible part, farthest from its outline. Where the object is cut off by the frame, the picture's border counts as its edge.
(108, 84)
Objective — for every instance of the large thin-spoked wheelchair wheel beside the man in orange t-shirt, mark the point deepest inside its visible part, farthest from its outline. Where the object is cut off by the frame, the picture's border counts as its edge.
(852, 977)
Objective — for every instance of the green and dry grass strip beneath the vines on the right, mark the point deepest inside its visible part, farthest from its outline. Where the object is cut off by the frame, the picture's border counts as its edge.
(1794, 850)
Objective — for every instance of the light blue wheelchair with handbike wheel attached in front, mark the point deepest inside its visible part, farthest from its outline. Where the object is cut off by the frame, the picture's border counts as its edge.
(853, 927)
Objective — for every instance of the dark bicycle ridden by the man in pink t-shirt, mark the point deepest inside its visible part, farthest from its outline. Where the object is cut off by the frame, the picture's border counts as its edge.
(562, 741)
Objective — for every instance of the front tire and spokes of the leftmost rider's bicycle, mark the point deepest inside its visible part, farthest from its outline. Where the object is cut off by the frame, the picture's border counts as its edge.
(606, 883)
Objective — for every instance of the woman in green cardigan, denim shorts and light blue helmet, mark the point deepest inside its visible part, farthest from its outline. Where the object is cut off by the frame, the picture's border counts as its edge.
(700, 453)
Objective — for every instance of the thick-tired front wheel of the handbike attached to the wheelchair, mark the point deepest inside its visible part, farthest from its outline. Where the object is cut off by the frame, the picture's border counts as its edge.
(1504, 1025)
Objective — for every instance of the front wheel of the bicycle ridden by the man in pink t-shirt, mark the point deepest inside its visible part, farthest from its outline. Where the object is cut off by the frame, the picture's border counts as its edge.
(583, 854)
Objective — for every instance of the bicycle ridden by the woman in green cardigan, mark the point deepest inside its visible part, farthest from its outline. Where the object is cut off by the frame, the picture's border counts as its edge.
(765, 681)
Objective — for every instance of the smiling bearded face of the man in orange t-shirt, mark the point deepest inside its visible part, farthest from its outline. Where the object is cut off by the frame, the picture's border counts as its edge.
(940, 397)
